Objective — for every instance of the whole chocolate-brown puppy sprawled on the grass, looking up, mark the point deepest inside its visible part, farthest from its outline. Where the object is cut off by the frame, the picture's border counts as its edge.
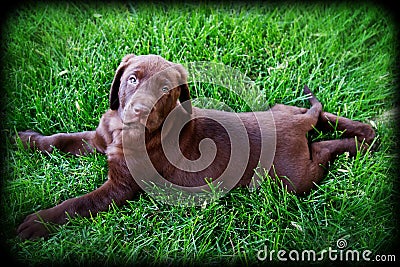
(146, 90)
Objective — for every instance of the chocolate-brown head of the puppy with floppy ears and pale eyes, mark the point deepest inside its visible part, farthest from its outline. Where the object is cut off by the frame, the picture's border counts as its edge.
(147, 88)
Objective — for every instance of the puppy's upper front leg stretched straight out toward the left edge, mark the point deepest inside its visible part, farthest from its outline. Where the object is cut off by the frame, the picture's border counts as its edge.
(74, 143)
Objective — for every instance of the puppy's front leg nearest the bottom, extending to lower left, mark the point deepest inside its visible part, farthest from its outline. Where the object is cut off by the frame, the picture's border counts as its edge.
(119, 187)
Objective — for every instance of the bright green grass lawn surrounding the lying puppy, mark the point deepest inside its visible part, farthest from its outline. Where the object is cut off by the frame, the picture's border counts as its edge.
(58, 64)
